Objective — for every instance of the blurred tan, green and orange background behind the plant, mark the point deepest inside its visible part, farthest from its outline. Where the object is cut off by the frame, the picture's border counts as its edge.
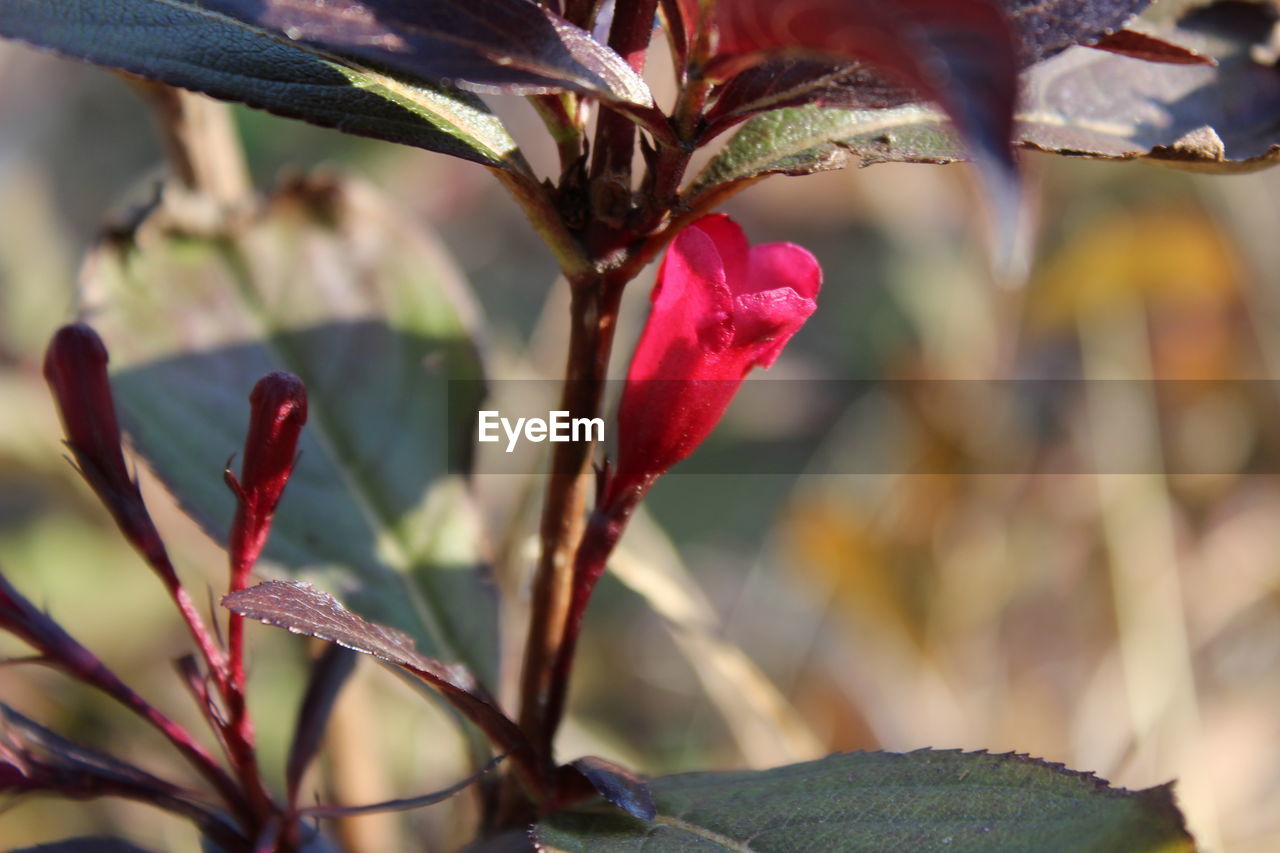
(1089, 573)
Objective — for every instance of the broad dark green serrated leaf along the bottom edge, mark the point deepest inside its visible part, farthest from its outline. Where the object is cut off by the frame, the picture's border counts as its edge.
(875, 802)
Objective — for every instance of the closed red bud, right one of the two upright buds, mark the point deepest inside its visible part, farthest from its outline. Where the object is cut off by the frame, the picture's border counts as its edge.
(278, 409)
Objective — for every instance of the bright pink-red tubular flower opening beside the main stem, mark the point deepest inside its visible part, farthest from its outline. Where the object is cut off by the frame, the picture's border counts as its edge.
(720, 308)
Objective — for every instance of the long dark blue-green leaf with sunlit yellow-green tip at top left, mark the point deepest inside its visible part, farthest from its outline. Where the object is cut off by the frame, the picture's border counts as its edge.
(186, 45)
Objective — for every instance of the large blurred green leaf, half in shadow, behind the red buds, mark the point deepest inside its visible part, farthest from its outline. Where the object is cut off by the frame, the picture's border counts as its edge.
(335, 288)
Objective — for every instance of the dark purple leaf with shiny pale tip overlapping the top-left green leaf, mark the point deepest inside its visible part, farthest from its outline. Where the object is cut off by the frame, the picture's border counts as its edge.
(509, 47)
